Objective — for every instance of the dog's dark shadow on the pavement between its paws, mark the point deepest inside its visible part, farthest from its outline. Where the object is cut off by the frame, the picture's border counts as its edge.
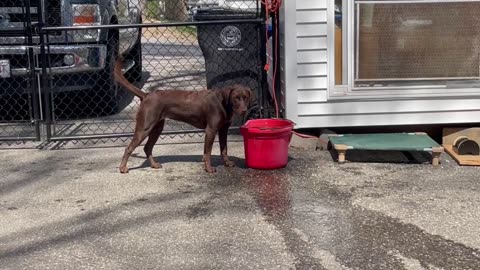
(165, 159)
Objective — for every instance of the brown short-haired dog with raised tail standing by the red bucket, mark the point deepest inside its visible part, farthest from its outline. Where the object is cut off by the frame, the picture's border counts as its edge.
(211, 110)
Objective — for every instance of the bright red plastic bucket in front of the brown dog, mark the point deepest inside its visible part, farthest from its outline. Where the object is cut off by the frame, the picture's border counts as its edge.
(266, 142)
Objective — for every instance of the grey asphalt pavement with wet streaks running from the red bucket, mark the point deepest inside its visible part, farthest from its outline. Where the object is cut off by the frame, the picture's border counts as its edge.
(71, 209)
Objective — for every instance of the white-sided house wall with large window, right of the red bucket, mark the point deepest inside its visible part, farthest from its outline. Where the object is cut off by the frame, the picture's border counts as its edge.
(378, 63)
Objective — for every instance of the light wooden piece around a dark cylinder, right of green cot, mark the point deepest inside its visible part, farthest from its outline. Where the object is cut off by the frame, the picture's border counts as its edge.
(449, 137)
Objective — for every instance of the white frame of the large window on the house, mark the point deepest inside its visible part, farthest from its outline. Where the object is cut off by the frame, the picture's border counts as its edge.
(348, 91)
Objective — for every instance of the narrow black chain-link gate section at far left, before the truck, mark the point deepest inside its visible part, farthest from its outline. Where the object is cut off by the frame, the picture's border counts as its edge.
(19, 92)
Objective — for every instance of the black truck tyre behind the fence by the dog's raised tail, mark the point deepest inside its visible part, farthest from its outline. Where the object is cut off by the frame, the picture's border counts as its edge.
(106, 82)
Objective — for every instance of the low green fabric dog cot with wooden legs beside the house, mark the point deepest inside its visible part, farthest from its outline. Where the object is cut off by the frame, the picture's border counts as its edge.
(386, 142)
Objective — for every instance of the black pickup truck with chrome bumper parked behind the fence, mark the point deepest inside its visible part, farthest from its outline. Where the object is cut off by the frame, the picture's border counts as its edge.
(80, 60)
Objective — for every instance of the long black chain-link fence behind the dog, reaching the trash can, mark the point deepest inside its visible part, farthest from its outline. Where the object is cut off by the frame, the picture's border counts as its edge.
(70, 94)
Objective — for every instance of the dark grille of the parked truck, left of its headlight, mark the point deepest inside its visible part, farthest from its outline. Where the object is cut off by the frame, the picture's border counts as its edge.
(13, 15)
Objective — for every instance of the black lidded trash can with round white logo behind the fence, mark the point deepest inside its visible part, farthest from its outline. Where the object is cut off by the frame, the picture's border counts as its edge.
(234, 53)
